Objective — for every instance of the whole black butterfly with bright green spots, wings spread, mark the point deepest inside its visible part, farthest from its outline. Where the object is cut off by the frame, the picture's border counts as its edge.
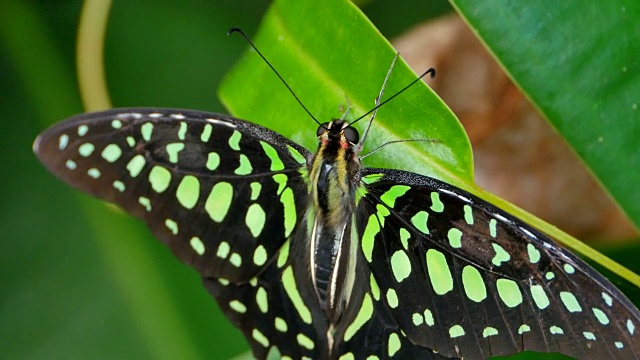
(313, 256)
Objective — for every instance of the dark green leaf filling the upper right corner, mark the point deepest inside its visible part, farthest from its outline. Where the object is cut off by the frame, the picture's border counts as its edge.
(579, 64)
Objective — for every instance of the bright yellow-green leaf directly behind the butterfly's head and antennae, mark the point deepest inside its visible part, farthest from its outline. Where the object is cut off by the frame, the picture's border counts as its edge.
(330, 55)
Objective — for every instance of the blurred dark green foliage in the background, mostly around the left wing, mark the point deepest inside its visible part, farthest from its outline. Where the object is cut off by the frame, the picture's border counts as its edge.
(66, 292)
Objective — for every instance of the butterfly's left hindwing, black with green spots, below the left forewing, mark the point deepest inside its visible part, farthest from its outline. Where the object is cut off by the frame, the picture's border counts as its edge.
(275, 310)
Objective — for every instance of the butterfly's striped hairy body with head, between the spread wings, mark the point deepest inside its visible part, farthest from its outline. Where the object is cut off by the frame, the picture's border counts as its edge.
(332, 252)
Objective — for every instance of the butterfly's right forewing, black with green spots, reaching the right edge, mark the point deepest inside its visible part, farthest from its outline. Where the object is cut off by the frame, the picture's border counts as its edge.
(464, 278)
